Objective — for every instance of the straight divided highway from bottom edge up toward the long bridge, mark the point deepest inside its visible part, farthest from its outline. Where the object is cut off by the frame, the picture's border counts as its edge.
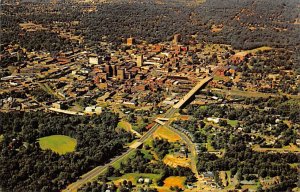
(94, 173)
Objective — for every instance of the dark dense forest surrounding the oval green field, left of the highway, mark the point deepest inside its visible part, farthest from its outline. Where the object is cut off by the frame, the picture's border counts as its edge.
(24, 166)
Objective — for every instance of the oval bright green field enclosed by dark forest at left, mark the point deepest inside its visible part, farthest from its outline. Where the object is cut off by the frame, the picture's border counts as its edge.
(60, 144)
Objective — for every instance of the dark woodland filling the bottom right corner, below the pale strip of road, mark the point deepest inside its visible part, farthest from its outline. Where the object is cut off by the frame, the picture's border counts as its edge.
(250, 165)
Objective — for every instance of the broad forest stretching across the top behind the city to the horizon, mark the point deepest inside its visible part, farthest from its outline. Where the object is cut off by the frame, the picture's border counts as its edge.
(243, 24)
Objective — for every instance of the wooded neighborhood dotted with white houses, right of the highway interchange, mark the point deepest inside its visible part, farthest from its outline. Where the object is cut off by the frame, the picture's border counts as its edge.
(266, 116)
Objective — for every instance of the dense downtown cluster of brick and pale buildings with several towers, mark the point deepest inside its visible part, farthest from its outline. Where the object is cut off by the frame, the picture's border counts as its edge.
(135, 74)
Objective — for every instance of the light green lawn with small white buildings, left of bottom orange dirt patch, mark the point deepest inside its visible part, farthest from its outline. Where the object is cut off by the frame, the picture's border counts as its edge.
(133, 177)
